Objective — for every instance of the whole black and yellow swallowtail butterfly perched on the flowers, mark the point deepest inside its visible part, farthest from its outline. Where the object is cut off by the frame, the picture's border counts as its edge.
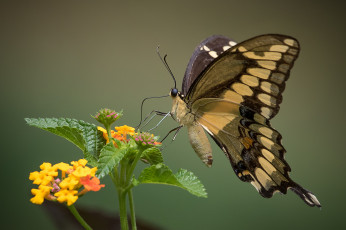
(231, 91)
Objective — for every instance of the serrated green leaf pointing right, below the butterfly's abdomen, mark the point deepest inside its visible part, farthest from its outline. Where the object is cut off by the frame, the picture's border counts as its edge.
(161, 174)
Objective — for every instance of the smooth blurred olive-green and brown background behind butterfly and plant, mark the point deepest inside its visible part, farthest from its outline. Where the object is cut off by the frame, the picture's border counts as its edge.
(71, 58)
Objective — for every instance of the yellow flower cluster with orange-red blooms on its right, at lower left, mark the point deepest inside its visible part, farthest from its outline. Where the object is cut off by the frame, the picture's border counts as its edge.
(66, 185)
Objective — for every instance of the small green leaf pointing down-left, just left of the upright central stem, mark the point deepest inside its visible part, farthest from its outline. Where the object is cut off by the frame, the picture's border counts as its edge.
(109, 158)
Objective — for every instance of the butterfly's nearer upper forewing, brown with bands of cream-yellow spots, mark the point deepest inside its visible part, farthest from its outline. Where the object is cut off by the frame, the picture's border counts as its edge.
(252, 73)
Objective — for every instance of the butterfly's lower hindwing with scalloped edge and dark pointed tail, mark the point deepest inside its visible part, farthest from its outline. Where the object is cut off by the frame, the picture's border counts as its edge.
(253, 147)
